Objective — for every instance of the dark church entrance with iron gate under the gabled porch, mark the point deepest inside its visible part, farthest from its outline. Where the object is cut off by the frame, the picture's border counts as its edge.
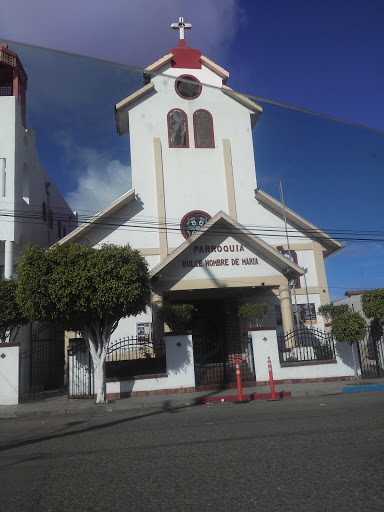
(217, 343)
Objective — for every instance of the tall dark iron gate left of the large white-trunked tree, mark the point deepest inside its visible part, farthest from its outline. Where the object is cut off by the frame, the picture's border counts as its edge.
(42, 364)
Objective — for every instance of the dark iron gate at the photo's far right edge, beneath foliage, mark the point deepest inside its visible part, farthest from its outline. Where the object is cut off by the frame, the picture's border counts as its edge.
(371, 353)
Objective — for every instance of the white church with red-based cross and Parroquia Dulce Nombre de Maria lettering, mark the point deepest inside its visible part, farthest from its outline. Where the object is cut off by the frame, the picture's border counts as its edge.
(194, 212)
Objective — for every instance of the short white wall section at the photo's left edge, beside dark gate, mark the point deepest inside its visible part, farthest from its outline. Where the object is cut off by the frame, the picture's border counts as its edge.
(9, 374)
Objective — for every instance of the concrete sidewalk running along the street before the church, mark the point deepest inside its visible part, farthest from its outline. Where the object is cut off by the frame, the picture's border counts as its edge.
(59, 406)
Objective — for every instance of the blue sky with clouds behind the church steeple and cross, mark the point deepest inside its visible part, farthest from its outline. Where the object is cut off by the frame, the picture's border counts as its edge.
(322, 56)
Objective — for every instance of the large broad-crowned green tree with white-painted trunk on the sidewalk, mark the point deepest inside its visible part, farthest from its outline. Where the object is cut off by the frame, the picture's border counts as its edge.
(86, 290)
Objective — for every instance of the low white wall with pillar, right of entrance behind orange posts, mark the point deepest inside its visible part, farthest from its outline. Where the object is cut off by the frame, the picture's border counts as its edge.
(265, 345)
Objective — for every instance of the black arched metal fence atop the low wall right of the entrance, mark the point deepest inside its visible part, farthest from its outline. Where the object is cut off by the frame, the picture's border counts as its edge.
(306, 344)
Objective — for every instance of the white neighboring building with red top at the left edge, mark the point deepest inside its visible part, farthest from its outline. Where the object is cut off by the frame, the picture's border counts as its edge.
(32, 209)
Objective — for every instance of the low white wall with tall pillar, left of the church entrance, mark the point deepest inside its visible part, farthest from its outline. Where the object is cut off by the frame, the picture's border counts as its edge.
(180, 369)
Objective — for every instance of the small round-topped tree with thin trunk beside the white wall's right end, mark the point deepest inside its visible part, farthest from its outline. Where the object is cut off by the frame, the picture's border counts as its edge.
(351, 328)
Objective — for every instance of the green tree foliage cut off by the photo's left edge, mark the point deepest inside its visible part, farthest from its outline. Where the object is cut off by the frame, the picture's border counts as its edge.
(11, 317)
